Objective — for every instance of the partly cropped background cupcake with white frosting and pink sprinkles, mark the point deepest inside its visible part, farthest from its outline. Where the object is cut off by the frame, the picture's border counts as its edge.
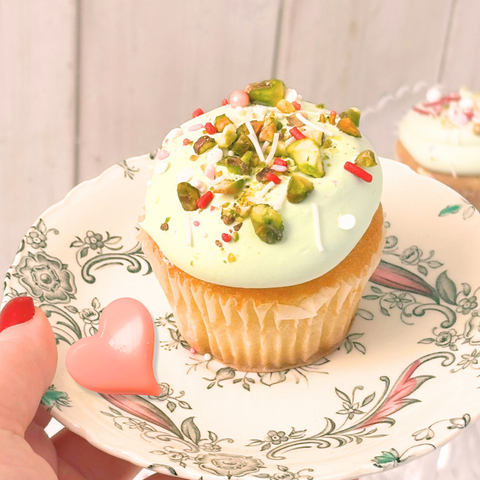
(440, 138)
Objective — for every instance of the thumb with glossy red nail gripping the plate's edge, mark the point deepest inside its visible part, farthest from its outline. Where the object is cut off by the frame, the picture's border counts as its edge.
(28, 359)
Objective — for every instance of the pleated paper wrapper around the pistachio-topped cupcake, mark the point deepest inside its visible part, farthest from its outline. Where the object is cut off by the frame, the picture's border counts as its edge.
(260, 338)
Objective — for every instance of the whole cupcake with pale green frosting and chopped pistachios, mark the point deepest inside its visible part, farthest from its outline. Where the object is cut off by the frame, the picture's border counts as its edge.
(263, 224)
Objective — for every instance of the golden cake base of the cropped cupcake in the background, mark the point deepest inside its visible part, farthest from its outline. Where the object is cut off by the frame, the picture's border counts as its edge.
(467, 186)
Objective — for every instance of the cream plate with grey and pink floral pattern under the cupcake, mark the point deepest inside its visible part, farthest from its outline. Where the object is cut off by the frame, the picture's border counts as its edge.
(403, 383)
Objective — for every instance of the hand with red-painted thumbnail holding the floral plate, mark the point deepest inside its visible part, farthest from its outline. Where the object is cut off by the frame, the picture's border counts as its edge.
(28, 356)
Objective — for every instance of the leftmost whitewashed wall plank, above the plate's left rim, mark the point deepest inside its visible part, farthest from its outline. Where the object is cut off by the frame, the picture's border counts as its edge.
(37, 117)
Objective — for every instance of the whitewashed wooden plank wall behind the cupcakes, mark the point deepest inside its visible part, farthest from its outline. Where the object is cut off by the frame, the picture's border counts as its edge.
(87, 83)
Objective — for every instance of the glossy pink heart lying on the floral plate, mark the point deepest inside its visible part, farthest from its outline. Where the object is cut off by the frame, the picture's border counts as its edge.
(118, 359)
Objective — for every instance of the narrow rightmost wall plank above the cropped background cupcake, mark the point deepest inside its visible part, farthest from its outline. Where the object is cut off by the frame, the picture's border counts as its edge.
(461, 66)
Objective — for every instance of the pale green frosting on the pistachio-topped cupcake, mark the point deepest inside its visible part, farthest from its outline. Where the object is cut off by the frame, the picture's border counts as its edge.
(249, 262)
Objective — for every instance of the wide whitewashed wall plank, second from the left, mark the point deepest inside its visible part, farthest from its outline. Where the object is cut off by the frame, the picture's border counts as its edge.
(146, 65)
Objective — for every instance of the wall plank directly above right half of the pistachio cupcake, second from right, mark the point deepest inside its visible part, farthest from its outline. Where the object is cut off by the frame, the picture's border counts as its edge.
(348, 53)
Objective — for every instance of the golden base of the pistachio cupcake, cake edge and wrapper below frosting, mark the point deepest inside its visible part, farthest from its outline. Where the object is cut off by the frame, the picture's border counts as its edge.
(264, 330)
